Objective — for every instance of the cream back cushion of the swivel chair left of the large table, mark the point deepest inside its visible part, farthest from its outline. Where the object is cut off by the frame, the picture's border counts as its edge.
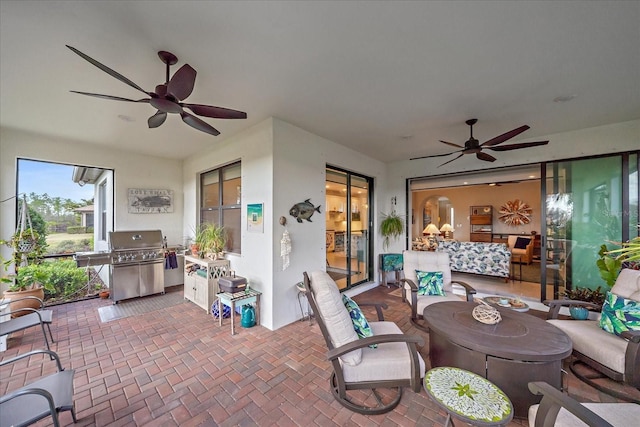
(335, 315)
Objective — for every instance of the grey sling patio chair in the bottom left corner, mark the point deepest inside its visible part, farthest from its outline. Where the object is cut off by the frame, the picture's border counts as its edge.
(49, 395)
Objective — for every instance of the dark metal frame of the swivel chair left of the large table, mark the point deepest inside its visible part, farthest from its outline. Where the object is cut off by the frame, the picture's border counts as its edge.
(340, 388)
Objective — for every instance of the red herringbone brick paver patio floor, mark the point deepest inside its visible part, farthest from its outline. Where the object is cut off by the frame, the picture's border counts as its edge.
(177, 367)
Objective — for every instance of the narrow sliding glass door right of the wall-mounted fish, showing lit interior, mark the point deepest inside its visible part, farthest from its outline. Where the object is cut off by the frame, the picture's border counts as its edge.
(348, 227)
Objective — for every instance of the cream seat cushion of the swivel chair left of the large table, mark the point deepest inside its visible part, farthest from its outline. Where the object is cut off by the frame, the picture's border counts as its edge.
(389, 361)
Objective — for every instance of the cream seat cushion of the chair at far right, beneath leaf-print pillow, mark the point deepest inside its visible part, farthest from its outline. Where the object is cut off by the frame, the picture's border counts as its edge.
(589, 339)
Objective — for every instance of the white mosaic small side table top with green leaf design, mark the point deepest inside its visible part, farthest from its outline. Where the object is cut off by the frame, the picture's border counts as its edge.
(468, 396)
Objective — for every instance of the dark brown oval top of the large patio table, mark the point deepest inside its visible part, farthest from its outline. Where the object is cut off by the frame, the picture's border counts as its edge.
(519, 336)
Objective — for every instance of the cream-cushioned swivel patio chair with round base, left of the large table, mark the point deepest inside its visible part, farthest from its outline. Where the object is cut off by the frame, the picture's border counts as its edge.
(394, 364)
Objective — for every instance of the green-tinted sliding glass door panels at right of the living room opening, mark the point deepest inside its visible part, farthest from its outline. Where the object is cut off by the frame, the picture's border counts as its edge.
(587, 203)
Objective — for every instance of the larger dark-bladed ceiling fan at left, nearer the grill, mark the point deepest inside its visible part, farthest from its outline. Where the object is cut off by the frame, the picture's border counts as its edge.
(168, 96)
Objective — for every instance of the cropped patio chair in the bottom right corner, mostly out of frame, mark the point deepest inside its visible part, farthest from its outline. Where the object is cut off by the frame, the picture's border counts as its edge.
(558, 409)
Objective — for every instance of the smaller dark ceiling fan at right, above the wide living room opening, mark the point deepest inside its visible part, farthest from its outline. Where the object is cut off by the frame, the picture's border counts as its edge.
(473, 145)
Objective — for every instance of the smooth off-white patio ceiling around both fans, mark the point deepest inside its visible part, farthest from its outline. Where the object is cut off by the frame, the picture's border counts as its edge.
(388, 79)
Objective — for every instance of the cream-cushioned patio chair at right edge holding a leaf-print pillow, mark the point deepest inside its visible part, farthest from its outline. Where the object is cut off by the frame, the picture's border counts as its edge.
(612, 356)
